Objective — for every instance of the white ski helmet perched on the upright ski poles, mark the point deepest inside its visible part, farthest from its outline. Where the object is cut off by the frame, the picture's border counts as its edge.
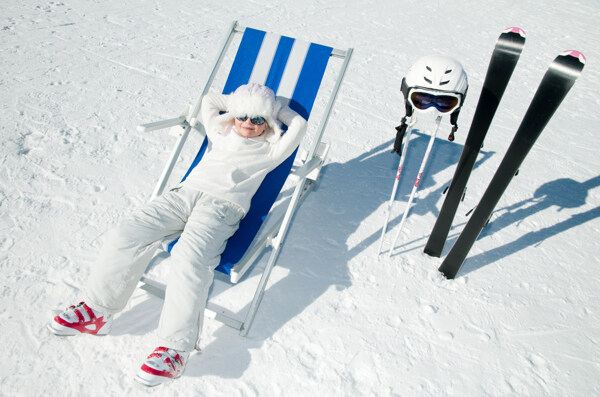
(436, 75)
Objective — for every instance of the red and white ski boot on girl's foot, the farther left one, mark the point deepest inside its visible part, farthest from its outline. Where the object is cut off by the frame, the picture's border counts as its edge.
(80, 319)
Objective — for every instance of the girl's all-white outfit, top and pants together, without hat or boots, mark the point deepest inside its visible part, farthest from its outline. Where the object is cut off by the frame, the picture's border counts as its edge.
(206, 209)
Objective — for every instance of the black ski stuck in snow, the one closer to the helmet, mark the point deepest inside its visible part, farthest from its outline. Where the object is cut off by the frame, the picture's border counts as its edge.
(504, 59)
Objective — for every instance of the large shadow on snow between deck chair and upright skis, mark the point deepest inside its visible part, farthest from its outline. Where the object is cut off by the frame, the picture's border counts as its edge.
(317, 260)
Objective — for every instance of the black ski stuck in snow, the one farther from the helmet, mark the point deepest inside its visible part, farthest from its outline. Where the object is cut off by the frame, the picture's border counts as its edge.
(555, 85)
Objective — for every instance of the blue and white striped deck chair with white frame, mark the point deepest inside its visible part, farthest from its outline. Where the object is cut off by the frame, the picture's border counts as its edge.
(293, 69)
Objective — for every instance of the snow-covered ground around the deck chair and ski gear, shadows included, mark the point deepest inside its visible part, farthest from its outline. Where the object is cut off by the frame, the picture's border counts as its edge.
(521, 318)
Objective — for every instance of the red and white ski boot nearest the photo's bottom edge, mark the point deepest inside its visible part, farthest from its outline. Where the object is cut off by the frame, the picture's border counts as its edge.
(161, 366)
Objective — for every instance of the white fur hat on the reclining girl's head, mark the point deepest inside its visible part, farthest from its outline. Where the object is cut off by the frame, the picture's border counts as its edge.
(254, 100)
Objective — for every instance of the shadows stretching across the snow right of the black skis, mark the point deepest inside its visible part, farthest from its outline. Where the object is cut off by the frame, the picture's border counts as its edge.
(562, 193)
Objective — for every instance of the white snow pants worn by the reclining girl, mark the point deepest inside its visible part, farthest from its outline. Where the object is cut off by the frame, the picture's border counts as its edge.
(205, 223)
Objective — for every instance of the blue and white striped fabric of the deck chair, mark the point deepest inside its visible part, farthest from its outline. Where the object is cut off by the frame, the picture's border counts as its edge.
(293, 69)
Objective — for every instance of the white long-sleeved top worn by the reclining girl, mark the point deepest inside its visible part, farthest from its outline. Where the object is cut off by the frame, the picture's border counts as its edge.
(233, 167)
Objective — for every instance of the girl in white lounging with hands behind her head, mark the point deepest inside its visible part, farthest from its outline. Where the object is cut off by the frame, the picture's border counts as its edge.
(246, 143)
